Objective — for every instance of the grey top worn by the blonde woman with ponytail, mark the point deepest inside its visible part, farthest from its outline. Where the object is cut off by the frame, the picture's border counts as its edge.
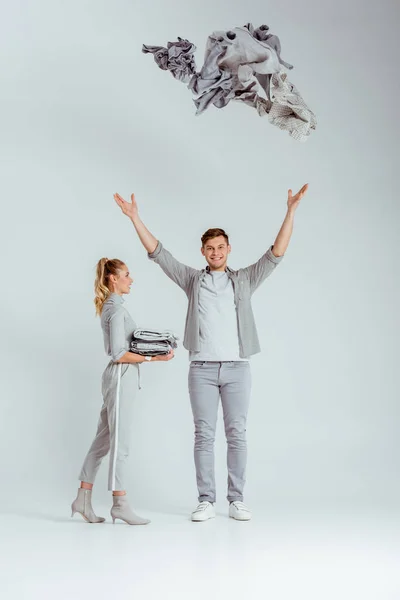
(117, 325)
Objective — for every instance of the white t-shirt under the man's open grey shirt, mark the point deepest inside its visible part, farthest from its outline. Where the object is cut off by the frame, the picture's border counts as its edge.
(219, 340)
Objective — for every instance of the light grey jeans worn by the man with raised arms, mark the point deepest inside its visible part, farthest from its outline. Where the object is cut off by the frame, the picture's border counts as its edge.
(208, 381)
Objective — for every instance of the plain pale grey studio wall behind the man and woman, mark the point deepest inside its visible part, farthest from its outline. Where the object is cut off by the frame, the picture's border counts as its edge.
(84, 114)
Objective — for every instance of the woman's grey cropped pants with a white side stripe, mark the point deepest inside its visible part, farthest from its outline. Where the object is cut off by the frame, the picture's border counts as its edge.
(119, 388)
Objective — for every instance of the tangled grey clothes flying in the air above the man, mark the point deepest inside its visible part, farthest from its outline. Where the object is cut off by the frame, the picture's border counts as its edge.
(242, 64)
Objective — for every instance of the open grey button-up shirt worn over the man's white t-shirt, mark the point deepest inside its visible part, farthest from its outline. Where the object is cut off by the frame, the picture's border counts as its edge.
(245, 282)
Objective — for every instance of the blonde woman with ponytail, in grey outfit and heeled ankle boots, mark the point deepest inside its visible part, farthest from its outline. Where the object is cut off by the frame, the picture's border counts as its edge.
(119, 385)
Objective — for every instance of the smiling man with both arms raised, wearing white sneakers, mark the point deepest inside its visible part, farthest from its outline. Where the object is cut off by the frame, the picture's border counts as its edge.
(221, 335)
